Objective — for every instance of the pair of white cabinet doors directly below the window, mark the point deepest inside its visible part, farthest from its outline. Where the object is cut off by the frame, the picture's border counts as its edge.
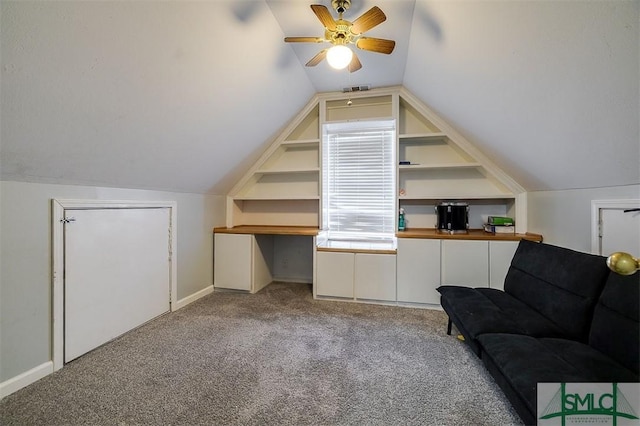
(368, 276)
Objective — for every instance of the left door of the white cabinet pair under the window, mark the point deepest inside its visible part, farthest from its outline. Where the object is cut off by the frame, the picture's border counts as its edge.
(334, 274)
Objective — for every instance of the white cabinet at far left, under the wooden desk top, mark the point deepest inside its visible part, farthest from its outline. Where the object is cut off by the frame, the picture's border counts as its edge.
(242, 261)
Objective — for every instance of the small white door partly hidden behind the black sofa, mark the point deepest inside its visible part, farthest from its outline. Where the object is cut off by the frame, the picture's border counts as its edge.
(620, 231)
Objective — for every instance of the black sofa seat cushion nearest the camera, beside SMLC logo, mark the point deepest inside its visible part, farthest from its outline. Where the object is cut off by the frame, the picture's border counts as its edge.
(519, 363)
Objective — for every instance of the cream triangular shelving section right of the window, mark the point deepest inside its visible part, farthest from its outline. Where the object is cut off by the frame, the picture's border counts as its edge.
(443, 166)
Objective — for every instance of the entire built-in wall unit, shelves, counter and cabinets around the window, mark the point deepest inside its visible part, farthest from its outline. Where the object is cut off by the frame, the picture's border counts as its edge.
(276, 211)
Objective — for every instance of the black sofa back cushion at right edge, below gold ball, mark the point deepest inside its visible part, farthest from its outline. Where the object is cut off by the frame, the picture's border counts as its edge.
(614, 330)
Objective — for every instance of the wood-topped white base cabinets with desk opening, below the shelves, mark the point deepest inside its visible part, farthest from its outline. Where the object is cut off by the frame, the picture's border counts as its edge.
(405, 272)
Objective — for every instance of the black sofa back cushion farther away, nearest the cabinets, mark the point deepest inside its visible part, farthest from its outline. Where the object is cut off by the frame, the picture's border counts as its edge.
(561, 284)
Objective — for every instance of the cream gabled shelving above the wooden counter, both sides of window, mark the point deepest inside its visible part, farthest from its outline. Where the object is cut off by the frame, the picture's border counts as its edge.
(284, 186)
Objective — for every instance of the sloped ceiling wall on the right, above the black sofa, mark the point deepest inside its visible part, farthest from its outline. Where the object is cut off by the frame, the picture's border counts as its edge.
(549, 90)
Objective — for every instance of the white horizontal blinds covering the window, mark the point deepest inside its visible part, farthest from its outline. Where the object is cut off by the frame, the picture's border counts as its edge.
(359, 180)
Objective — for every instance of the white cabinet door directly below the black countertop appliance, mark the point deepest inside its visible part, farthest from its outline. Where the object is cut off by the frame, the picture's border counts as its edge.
(465, 263)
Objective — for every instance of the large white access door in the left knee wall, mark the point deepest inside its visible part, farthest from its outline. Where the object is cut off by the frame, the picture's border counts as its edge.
(117, 273)
